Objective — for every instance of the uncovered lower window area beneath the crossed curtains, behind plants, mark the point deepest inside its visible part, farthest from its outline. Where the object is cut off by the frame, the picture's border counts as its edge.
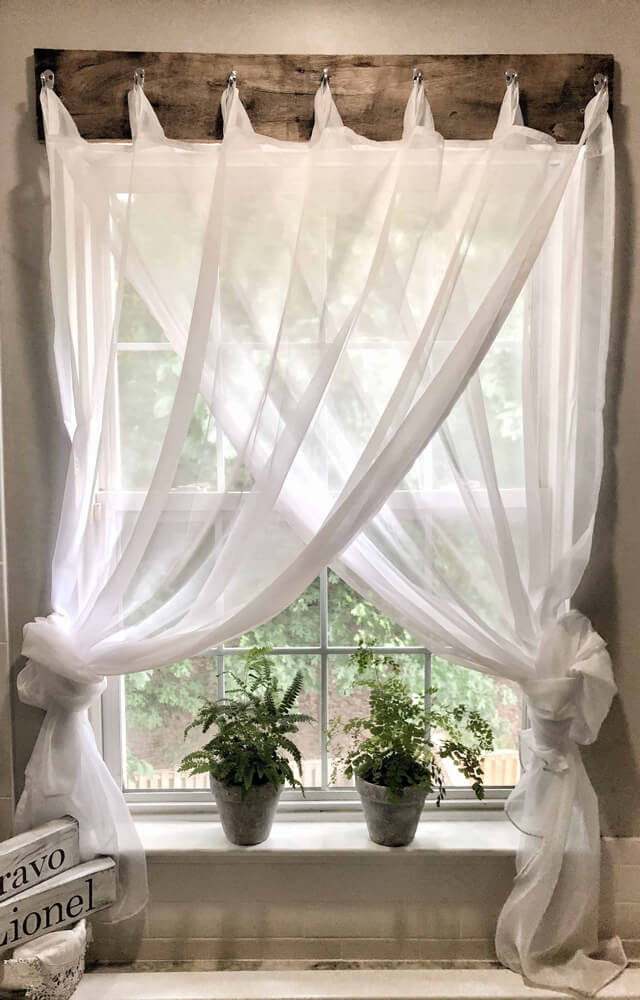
(315, 634)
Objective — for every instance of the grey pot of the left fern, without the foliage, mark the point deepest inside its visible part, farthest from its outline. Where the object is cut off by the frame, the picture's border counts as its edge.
(246, 819)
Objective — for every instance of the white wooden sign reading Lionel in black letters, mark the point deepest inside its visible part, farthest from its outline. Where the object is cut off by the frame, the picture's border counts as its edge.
(60, 901)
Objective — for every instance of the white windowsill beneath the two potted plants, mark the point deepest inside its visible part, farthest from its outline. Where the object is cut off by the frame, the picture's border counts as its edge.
(173, 839)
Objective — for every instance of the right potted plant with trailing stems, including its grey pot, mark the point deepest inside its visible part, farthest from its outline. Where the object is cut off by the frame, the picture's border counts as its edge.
(394, 753)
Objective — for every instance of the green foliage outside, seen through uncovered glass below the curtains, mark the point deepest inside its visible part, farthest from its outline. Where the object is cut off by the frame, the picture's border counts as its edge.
(161, 702)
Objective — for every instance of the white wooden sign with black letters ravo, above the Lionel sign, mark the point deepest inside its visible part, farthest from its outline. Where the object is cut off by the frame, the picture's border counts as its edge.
(38, 855)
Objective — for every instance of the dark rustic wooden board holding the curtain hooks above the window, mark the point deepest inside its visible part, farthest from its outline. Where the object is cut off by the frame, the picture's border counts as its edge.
(371, 91)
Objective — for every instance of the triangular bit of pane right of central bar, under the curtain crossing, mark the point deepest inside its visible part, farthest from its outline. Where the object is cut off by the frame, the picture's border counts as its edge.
(351, 618)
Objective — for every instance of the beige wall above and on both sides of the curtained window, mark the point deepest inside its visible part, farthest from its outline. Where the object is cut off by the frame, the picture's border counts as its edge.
(34, 445)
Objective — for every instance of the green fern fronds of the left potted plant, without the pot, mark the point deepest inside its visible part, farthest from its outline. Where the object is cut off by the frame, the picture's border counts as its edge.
(254, 724)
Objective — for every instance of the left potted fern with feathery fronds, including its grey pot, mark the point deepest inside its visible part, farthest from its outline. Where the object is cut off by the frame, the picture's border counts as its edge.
(250, 757)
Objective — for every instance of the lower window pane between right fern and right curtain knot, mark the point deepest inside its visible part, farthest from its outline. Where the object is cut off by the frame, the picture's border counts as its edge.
(497, 701)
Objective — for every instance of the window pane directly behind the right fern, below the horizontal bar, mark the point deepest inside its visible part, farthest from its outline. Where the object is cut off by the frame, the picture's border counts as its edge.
(347, 702)
